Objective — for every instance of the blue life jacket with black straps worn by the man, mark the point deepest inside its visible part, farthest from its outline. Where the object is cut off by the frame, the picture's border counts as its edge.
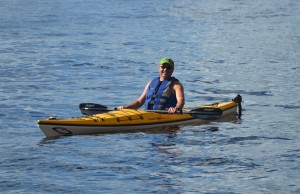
(160, 95)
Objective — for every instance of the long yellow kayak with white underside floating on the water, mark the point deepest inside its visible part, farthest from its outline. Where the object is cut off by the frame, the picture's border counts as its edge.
(133, 120)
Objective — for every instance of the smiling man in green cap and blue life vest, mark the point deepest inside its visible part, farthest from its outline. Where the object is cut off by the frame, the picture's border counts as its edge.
(162, 93)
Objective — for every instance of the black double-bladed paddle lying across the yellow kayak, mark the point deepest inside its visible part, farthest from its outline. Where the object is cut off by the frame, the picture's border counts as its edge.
(200, 112)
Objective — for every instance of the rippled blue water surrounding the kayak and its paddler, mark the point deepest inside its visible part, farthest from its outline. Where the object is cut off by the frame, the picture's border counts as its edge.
(57, 54)
